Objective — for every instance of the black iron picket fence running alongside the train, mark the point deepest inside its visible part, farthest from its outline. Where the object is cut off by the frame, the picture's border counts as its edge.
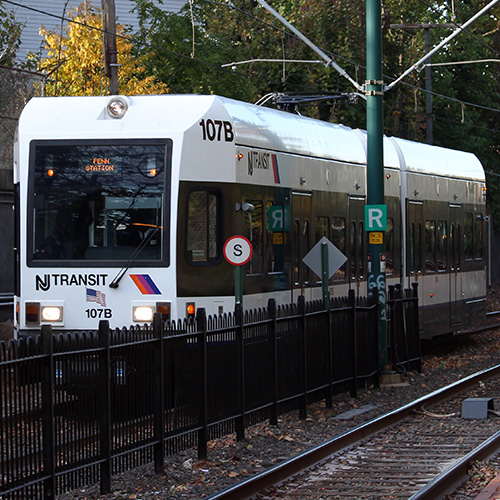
(79, 408)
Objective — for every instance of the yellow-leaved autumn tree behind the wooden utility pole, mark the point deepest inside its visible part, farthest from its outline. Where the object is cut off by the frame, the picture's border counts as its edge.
(75, 59)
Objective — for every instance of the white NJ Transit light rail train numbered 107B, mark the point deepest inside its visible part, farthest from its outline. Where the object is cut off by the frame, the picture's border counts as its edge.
(124, 205)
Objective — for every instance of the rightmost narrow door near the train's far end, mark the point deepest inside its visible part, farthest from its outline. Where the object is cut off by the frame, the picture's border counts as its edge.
(455, 246)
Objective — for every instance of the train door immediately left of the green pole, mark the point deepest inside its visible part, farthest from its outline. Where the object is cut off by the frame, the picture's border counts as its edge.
(357, 241)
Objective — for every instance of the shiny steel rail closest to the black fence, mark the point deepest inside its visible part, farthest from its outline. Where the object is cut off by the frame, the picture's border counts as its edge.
(284, 470)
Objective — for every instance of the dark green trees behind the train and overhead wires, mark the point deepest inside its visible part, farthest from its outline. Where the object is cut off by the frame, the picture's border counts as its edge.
(187, 50)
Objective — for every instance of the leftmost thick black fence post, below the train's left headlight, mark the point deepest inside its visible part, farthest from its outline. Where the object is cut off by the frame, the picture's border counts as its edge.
(48, 413)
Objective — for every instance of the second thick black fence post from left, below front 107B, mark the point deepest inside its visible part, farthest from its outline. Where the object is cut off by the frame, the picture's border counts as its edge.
(104, 382)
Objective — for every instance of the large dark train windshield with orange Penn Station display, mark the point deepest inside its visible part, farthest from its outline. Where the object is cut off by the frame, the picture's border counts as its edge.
(104, 203)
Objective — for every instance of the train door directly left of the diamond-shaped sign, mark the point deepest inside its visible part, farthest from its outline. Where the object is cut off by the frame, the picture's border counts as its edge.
(301, 242)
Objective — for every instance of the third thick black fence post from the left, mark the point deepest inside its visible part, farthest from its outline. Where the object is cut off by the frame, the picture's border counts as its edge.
(159, 396)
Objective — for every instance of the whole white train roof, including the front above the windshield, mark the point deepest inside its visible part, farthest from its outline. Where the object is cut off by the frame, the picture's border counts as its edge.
(254, 126)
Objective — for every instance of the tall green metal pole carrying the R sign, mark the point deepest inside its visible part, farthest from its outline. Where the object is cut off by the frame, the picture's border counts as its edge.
(375, 160)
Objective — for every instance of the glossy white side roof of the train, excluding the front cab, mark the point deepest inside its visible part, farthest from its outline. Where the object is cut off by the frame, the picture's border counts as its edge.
(307, 136)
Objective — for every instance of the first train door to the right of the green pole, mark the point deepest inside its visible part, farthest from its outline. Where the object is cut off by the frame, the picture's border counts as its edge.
(414, 221)
